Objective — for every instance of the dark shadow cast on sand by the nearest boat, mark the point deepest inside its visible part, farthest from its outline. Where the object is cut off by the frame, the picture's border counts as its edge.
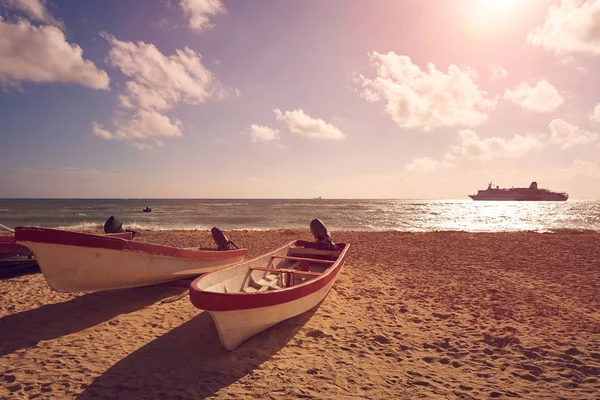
(190, 362)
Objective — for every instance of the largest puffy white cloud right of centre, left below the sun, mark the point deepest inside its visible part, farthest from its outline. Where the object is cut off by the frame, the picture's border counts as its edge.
(426, 99)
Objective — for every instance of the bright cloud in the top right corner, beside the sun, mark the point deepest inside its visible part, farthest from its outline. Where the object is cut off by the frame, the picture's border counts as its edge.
(571, 27)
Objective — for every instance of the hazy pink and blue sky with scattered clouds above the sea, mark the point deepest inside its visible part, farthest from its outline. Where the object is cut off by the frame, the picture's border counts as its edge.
(298, 99)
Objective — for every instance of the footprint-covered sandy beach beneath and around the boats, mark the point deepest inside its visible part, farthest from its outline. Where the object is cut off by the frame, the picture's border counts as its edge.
(413, 315)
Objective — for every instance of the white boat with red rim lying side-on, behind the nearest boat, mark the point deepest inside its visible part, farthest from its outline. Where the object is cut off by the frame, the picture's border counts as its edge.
(77, 262)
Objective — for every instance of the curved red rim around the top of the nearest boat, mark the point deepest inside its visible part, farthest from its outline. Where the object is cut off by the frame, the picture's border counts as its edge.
(235, 301)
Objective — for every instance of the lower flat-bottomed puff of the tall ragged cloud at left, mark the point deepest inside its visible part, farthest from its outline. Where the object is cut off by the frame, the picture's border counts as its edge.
(144, 124)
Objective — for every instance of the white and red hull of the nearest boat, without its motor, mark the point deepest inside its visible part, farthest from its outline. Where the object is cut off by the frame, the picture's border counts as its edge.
(240, 315)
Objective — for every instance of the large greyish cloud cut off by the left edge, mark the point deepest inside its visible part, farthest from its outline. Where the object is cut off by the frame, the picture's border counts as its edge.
(42, 54)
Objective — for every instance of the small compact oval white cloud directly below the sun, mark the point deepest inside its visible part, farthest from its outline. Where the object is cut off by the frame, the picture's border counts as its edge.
(543, 97)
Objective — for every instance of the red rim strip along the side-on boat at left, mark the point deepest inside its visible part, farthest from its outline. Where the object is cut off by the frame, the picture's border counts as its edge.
(78, 239)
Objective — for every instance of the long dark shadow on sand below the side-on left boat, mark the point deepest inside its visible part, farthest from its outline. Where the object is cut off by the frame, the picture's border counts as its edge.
(27, 328)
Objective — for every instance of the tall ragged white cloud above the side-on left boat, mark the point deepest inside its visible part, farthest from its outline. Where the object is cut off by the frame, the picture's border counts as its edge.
(158, 83)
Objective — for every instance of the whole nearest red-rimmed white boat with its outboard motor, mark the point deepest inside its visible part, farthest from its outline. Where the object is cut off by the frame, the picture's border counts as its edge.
(250, 297)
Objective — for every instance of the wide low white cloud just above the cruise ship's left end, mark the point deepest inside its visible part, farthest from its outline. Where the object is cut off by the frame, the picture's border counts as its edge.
(473, 147)
